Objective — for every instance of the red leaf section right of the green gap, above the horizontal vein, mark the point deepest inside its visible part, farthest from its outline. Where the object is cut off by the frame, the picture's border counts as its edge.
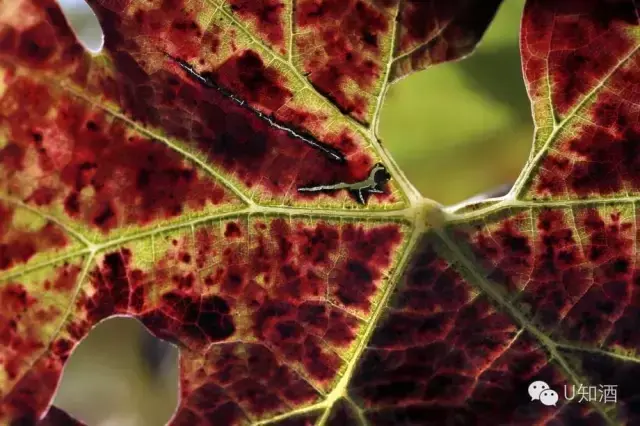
(581, 77)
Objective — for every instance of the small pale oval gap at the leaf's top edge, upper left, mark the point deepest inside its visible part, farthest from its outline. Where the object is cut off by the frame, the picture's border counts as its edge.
(84, 23)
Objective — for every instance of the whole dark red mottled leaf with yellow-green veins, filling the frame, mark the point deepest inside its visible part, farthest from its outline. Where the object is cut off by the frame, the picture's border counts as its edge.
(215, 173)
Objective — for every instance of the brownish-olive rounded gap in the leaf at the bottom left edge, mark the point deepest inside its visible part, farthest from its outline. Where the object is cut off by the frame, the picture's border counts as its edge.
(121, 375)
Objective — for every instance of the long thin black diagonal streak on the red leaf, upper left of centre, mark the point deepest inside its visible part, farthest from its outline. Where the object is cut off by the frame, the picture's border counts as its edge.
(329, 151)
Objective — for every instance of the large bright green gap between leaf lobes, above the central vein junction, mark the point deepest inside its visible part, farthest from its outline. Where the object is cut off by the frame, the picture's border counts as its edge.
(462, 129)
